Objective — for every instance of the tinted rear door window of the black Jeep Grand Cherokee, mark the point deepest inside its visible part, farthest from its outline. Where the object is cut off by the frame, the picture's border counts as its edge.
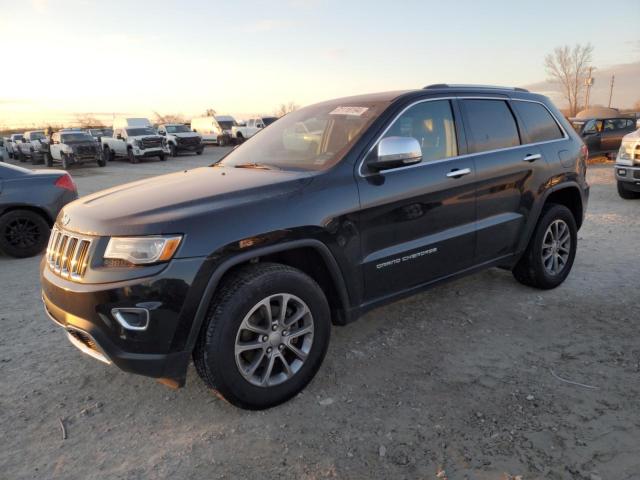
(489, 125)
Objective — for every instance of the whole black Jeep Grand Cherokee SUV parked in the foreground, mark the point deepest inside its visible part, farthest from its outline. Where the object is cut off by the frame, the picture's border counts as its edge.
(333, 210)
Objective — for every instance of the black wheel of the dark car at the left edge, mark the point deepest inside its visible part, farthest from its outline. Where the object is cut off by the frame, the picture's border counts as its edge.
(23, 233)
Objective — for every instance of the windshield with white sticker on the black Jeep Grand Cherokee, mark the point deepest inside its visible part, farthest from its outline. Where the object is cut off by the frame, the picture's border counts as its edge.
(312, 138)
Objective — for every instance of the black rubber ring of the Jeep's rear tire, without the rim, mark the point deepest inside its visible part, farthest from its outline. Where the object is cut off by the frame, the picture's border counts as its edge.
(556, 212)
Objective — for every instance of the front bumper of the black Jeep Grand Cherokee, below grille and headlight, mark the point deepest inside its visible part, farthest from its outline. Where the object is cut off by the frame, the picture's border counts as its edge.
(85, 312)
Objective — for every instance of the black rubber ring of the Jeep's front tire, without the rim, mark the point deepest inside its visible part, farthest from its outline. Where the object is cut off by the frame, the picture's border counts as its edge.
(220, 352)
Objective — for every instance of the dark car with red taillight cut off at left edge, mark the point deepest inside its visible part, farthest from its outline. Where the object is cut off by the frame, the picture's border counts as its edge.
(29, 204)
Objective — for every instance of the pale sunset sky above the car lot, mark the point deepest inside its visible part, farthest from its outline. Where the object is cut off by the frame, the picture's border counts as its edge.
(105, 58)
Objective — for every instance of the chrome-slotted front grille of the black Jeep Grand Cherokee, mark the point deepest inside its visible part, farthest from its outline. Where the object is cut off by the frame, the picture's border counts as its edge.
(68, 254)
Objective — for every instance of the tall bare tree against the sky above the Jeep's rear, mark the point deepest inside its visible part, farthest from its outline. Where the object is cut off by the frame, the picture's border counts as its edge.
(569, 66)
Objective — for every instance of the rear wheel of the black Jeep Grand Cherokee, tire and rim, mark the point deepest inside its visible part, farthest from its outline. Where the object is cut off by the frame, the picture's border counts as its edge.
(531, 269)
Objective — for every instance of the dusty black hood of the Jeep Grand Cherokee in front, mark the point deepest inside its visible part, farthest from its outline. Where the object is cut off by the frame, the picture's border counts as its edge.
(173, 203)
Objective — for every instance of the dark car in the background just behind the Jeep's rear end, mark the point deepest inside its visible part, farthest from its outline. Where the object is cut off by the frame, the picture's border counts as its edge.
(603, 136)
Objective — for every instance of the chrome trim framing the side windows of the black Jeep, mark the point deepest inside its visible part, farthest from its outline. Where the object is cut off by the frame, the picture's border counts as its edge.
(454, 101)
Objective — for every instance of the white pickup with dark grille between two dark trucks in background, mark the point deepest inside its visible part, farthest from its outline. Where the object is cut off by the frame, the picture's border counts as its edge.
(133, 138)
